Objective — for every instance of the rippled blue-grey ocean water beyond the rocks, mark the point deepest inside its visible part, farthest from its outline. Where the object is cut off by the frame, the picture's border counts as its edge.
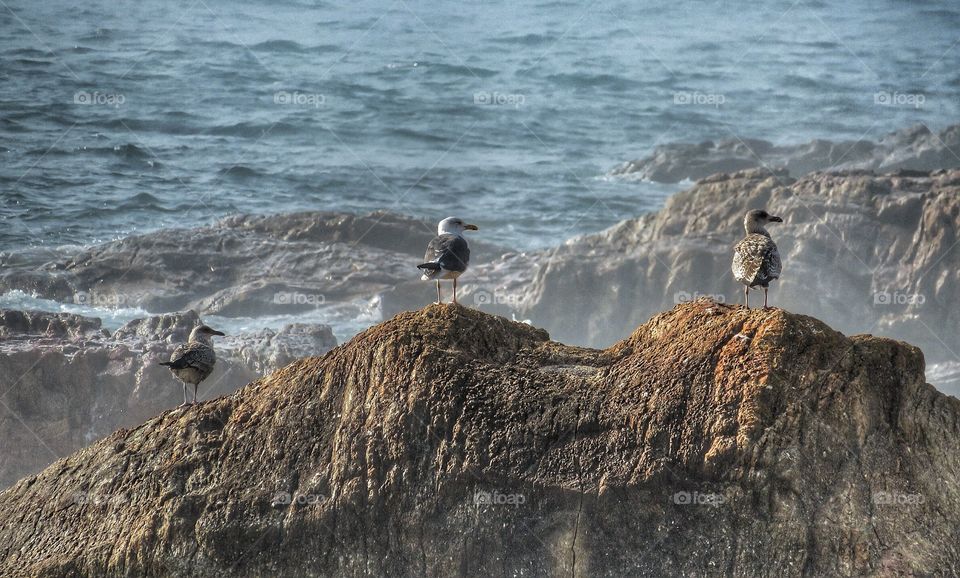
(121, 118)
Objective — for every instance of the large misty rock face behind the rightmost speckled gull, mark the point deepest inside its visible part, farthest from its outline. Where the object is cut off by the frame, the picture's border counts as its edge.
(870, 253)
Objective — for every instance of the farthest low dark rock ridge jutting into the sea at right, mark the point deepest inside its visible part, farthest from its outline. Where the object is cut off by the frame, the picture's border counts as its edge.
(915, 148)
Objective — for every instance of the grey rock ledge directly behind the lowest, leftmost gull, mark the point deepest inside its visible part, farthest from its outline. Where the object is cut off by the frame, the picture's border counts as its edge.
(66, 382)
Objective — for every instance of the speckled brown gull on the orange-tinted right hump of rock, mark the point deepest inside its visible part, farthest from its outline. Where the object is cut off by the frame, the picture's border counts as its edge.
(756, 260)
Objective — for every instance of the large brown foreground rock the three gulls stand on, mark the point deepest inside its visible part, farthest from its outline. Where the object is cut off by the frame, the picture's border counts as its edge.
(448, 442)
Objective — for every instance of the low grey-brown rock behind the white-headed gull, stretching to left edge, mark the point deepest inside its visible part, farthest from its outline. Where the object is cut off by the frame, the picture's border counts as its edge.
(250, 266)
